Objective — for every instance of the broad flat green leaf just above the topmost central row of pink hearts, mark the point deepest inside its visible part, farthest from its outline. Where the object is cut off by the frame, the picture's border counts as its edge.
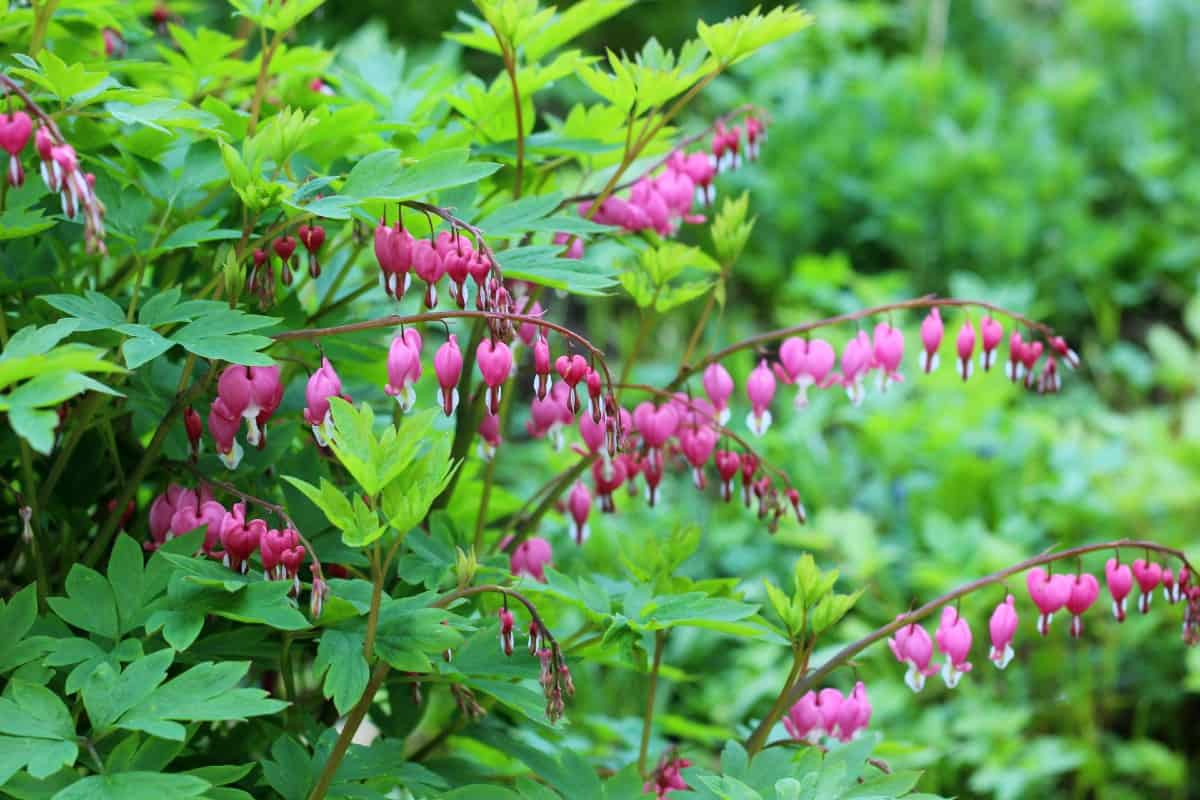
(383, 176)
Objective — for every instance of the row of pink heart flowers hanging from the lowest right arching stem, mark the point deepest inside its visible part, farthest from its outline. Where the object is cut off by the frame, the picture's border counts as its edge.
(1051, 594)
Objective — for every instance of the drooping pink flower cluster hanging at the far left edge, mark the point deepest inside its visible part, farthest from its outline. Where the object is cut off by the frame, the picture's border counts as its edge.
(61, 171)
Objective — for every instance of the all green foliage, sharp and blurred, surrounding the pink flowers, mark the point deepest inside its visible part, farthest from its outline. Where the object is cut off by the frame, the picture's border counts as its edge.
(1039, 158)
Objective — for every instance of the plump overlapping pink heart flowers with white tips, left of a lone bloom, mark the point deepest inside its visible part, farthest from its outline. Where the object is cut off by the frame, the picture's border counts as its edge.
(244, 394)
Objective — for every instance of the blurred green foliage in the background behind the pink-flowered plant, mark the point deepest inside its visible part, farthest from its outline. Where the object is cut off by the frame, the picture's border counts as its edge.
(1041, 154)
